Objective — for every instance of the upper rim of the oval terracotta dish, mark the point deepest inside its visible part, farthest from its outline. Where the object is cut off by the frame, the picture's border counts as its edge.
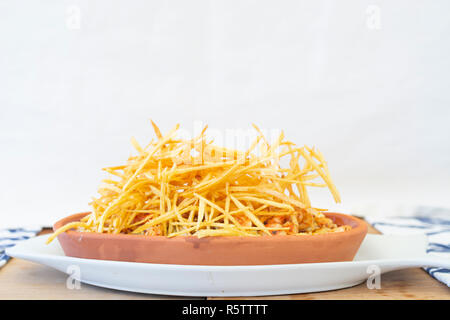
(360, 226)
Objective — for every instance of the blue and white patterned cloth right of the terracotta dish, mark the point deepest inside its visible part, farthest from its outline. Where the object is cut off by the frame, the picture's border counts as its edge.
(434, 222)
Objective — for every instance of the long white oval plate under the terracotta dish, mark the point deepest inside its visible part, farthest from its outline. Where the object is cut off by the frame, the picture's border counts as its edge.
(377, 253)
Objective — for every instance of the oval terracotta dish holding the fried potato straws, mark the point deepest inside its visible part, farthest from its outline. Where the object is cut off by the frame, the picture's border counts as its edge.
(224, 251)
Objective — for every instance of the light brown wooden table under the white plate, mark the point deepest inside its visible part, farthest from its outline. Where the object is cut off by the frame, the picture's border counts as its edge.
(20, 279)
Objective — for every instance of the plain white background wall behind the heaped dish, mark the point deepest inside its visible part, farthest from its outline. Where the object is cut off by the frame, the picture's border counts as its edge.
(367, 82)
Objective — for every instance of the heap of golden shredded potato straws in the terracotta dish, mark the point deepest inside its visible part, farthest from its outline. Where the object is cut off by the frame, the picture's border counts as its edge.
(176, 187)
